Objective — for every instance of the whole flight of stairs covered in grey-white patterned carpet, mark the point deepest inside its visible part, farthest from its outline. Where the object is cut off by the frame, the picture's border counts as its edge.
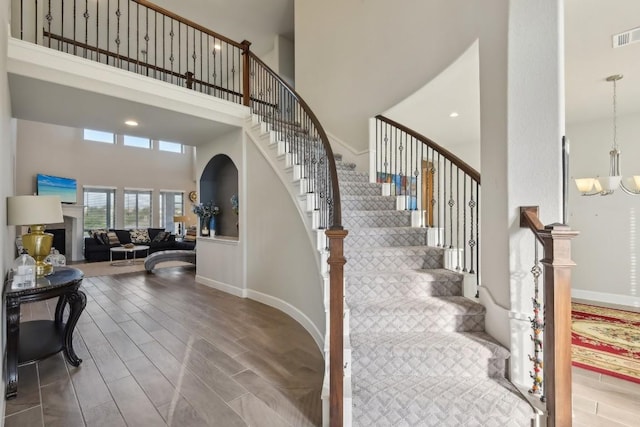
(420, 356)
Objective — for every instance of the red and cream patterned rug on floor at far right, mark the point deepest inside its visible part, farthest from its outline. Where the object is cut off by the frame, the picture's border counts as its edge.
(606, 340)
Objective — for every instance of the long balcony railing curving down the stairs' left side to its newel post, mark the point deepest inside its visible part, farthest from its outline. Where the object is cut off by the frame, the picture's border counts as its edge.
(140, 37)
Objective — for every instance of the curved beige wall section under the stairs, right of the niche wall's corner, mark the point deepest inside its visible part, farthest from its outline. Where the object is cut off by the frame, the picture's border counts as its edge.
(282, 267)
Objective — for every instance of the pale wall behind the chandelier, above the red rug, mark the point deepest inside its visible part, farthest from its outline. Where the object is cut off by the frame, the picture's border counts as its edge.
(607, 252)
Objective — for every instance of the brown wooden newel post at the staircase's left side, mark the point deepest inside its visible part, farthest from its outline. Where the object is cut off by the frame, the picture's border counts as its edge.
(336, 263)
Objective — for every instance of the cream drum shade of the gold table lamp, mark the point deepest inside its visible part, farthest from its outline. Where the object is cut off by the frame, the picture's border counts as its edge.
(30, 210)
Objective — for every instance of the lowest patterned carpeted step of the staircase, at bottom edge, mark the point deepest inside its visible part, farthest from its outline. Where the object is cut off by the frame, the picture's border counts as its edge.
(438, 401)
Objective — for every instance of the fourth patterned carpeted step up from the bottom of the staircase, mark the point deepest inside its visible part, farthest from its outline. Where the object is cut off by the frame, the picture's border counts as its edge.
(416, 283)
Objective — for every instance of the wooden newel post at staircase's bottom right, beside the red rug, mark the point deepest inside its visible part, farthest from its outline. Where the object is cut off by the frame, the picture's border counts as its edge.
(557, 340)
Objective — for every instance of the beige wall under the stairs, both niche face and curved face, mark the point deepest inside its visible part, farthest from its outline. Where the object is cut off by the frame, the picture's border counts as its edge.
(273, 261)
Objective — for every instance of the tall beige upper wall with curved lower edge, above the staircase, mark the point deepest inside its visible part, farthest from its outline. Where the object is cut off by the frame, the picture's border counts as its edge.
(357, 59)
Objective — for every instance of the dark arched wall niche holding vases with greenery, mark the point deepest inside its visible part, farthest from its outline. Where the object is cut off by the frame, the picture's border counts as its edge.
(218, 183)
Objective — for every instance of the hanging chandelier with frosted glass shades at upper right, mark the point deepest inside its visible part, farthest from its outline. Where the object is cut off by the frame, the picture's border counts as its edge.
(605, 186)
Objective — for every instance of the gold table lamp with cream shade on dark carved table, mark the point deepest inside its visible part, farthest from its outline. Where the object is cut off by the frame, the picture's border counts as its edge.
(36, 211)
